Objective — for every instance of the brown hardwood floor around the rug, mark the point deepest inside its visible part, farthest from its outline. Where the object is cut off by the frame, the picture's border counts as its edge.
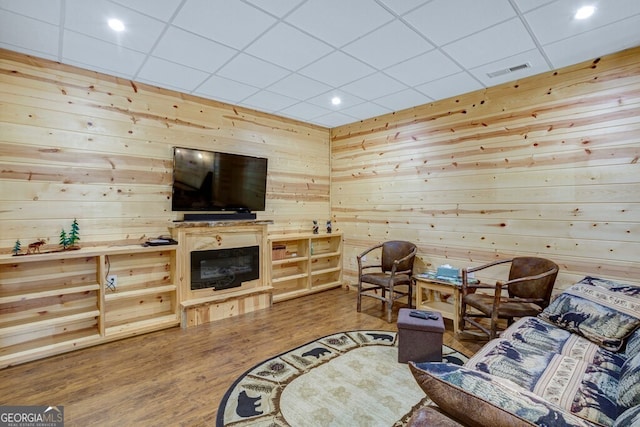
(178, 376)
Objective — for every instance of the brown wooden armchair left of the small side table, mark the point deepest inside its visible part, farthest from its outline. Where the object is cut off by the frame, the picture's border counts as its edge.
(395, 269)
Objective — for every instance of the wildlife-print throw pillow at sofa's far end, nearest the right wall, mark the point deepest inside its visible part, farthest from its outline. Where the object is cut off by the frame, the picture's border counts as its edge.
(603, 311)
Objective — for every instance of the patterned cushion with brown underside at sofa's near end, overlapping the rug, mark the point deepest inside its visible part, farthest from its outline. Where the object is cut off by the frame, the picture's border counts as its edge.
(479, 399)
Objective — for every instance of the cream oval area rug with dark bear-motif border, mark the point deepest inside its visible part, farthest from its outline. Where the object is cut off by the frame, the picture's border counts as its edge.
(345, 379)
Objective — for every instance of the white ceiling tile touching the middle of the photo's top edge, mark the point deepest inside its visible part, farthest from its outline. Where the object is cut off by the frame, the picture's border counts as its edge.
(339, 22)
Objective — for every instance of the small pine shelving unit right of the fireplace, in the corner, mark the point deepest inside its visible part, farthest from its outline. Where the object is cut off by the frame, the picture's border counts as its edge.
(305, 263)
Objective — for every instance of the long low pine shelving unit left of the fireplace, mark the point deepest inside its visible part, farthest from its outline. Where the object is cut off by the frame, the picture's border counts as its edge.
(56, 302)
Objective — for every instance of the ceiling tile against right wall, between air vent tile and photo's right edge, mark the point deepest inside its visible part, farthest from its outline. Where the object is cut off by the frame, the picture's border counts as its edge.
(604, 40)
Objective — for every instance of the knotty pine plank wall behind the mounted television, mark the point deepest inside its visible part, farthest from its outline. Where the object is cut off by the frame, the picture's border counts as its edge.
(79, 144)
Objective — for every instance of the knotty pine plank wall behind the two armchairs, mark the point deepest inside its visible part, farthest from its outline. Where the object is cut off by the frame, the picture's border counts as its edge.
(545, 166)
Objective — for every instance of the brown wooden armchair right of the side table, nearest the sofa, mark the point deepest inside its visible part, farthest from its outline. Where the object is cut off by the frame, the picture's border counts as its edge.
(529, 290)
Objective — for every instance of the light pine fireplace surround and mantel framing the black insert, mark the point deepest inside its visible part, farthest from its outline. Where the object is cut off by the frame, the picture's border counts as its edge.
(206, 305)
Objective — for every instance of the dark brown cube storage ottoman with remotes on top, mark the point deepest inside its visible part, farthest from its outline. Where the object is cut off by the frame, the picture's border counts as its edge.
(419, 340)
